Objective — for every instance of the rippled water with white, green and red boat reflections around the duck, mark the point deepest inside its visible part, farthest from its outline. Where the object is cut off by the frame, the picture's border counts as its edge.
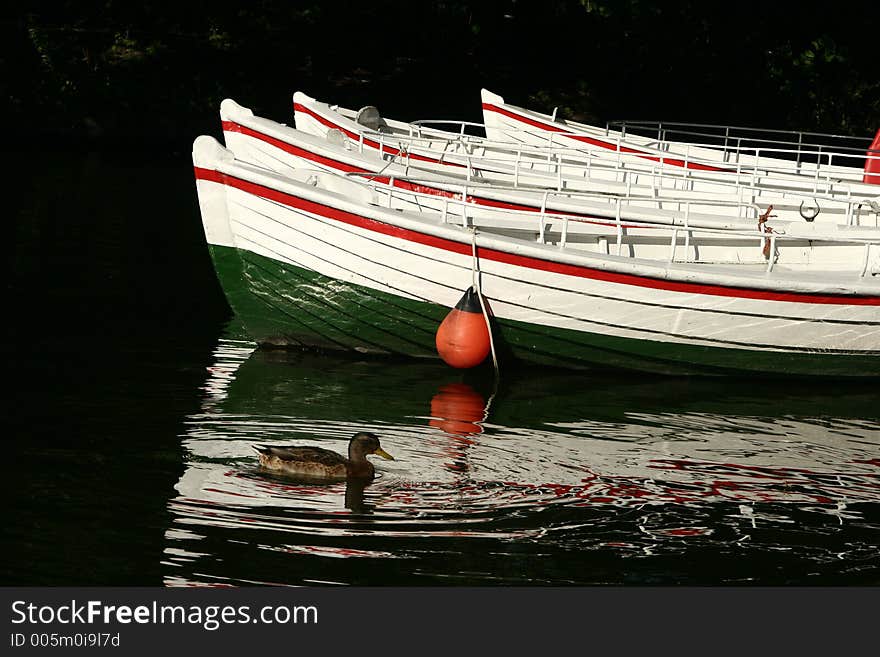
(487, 483)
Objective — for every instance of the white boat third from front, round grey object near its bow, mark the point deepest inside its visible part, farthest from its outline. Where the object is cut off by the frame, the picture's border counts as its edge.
(484, 160)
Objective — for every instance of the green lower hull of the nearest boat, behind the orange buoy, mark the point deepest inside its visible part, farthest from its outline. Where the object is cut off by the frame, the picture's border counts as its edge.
(284, 305)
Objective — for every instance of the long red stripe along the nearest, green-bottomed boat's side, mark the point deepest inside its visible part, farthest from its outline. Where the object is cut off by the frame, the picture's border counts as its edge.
(527, 262)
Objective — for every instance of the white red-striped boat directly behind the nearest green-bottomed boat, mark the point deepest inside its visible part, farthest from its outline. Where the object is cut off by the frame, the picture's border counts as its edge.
(600, 221)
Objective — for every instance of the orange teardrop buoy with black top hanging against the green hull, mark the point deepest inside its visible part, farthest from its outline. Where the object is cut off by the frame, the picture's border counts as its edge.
(463, 337)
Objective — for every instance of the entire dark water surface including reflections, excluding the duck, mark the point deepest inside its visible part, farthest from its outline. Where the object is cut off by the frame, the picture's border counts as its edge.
(134, 402)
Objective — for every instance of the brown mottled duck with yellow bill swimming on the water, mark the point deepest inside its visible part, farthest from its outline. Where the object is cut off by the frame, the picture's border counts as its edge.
(323, 463)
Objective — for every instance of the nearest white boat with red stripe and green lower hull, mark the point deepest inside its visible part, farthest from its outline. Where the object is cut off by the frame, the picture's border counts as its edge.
(310, 259)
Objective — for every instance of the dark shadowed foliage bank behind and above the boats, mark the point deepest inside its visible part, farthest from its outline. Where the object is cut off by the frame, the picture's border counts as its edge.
(156, 70)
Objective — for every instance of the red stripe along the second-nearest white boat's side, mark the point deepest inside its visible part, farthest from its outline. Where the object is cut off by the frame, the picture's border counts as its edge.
(230, 126)
